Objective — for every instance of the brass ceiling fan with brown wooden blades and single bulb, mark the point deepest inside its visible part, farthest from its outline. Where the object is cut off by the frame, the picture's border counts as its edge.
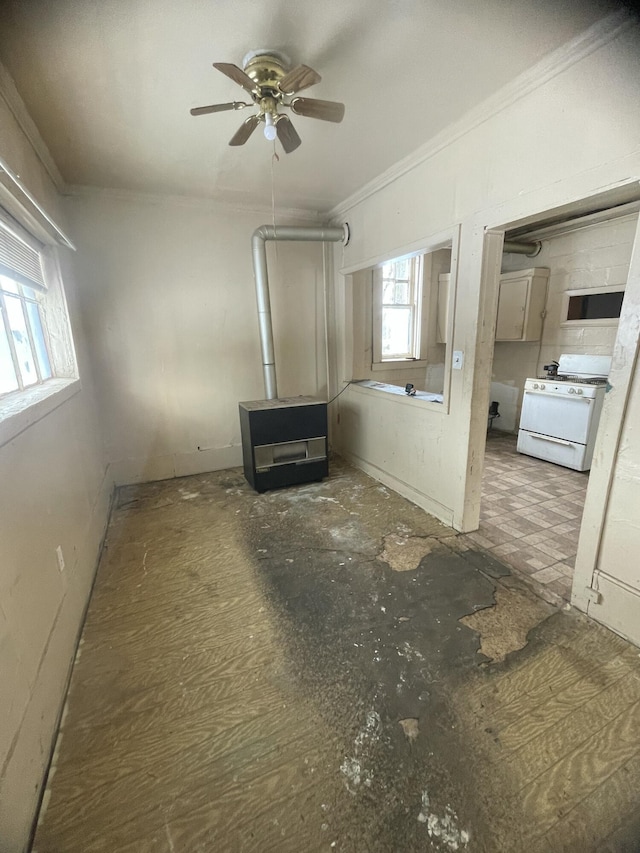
(268, 77)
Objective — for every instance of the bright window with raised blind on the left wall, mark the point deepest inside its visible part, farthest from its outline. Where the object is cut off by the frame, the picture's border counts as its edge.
(24, 349)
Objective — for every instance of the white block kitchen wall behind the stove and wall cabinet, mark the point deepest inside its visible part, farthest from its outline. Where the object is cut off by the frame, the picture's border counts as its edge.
(595, 256)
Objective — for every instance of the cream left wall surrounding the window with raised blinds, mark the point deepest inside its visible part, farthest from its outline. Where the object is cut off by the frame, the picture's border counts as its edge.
(54, 491)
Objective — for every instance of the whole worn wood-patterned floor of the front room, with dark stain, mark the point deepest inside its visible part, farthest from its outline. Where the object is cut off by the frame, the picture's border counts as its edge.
(326, 668)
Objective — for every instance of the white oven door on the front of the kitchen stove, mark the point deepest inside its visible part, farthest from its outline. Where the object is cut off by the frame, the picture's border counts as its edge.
(558, 415)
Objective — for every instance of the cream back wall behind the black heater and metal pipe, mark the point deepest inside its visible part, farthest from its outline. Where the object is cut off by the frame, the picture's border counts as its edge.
(169, 303)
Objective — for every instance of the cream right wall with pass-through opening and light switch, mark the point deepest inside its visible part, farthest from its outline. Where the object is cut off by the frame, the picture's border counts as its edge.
(555, 142)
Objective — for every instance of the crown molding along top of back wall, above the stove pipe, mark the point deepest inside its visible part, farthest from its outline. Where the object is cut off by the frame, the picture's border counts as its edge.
(198, 202)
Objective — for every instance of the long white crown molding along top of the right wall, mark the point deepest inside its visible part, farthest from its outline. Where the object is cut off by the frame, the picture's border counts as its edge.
(593, 38)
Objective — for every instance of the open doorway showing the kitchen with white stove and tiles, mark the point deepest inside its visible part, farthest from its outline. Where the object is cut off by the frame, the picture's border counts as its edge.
(533, 500)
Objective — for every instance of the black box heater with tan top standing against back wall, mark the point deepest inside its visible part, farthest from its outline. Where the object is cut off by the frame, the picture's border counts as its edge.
(284, 441)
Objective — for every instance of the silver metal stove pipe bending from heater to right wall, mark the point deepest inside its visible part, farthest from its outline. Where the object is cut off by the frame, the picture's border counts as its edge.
(317, 234)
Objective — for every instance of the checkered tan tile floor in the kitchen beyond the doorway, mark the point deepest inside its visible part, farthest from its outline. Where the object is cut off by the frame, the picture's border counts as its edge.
(531, 513)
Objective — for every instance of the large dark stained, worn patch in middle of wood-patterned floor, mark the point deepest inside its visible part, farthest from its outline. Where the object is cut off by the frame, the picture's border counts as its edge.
(374, 649)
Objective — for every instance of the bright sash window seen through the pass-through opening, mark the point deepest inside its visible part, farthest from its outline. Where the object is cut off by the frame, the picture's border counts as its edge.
(397, 310)
